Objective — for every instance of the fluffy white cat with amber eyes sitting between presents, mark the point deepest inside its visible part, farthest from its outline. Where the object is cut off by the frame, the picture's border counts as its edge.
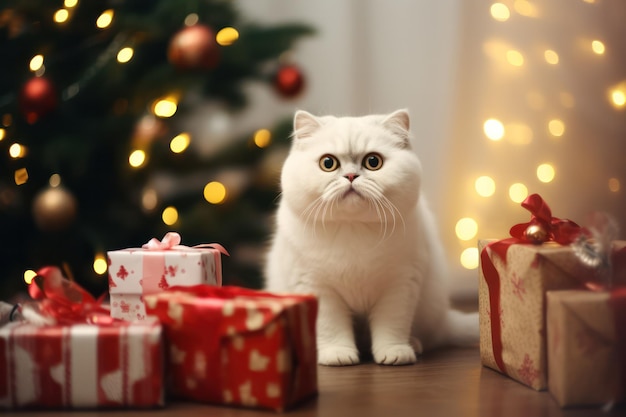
(353, 228)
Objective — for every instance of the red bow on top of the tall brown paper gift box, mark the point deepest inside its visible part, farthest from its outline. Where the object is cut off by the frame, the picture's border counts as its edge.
(558, 230)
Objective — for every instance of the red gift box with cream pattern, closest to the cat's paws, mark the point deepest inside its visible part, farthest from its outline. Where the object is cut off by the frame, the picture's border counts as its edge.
(238, 347)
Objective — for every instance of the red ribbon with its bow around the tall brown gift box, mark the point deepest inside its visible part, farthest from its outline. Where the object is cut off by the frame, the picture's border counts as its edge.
(557, 230)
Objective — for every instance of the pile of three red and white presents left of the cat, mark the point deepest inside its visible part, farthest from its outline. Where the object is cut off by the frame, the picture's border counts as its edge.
(170, 331)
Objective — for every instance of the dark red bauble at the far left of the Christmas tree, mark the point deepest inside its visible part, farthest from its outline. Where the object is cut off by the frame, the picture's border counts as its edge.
(38, 98)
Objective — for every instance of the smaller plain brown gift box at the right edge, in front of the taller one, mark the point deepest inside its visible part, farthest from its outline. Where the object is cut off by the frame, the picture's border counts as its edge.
(587, 346)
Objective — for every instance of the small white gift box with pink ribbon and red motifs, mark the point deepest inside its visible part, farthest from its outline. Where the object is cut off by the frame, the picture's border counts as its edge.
(155, 267)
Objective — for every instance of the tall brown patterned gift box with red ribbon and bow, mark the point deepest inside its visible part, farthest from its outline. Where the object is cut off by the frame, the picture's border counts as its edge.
(514, 276)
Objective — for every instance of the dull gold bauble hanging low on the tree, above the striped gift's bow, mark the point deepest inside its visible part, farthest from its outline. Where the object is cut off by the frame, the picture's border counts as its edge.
(54, 209)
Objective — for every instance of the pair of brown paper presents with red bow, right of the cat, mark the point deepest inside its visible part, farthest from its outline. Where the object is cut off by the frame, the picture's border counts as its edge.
(552, 307)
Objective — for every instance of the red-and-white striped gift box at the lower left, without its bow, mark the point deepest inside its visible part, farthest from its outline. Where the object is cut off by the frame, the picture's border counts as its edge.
(81, 365)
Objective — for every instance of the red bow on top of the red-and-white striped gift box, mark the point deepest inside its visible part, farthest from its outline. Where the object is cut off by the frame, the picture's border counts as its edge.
(65, 301)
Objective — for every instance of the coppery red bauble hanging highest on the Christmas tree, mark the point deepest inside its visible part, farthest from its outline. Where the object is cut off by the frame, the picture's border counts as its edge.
(194, 48)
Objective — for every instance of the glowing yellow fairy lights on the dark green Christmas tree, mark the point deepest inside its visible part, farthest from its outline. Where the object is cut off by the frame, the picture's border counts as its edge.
(214, 192)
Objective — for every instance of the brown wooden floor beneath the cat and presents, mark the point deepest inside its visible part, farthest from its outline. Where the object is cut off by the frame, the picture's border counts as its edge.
(449, 383)
